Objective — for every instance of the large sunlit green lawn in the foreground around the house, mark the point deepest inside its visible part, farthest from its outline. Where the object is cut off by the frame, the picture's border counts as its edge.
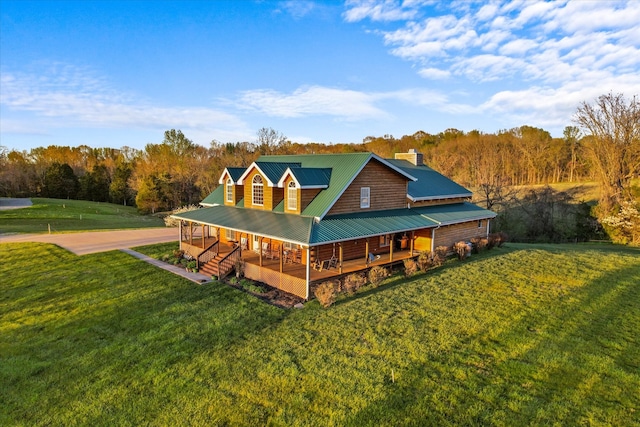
(523, 335)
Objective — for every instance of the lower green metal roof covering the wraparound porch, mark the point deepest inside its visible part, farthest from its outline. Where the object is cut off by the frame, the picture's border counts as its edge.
(334, 228)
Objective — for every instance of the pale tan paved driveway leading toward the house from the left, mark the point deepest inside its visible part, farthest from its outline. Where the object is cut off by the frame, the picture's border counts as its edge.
(99, 241)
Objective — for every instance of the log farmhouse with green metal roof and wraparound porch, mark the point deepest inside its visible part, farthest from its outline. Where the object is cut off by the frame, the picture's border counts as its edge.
(295, 221)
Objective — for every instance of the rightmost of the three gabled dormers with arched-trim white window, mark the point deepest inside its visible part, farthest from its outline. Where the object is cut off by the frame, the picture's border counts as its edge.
(302, 185)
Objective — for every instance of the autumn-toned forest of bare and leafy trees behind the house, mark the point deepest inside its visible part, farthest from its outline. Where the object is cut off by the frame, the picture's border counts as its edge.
(602, 146)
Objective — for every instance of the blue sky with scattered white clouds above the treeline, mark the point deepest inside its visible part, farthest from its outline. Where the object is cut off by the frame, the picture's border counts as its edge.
(119, 73)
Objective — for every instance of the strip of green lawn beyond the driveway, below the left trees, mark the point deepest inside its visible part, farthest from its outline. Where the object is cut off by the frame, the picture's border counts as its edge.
(73, 215)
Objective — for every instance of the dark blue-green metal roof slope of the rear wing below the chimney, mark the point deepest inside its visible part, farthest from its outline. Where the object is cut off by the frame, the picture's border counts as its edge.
(430, 184)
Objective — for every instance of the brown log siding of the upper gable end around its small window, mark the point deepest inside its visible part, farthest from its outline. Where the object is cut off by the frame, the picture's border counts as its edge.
(388, 190)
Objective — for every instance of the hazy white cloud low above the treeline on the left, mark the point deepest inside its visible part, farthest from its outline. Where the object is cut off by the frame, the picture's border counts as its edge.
(80, 98)
